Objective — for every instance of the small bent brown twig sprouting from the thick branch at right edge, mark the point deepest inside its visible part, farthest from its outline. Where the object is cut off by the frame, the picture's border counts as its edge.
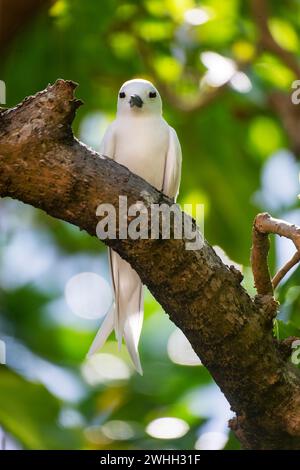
(263, 225)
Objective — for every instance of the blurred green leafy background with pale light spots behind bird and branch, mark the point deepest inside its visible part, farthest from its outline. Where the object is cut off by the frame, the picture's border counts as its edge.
(225, 72)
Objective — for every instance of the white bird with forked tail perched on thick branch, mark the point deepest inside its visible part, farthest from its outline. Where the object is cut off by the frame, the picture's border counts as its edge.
(142, 140)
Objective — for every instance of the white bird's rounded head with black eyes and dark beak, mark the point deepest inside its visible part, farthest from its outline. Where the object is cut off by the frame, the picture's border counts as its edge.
(140, 97)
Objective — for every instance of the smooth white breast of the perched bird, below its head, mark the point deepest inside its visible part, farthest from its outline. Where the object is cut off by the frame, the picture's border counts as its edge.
(142, 145)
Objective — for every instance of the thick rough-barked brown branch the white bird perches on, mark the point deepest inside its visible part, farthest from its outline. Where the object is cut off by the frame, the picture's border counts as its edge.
(42, 164)
